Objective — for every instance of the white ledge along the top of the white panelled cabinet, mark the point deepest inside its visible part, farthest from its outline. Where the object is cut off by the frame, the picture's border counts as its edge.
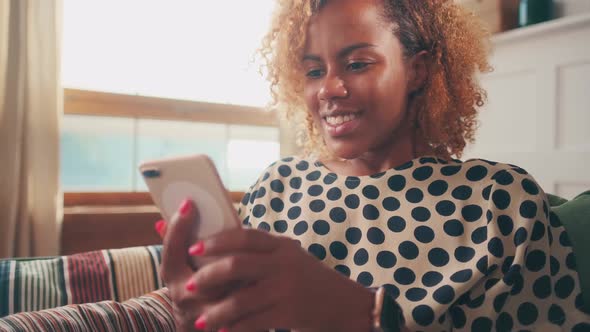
(555, 25)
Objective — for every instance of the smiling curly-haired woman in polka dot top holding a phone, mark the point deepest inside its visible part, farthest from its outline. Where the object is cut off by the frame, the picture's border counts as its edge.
(384, 94)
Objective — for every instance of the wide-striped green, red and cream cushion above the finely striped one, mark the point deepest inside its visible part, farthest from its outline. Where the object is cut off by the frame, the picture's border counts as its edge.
(116, 274)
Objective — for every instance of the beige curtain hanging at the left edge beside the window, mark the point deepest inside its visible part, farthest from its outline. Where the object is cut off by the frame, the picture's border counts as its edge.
(31, 104)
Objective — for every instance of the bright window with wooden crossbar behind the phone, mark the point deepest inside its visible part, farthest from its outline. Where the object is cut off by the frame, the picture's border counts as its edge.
(163, 78)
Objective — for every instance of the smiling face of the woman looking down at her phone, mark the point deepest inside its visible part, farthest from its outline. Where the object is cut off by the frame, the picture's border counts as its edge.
(356, 81)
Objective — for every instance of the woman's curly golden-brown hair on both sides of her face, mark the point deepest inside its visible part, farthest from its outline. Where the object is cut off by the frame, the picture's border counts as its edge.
(446, 107)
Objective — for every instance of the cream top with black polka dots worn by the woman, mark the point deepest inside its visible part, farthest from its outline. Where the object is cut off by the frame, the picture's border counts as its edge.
(462, 246)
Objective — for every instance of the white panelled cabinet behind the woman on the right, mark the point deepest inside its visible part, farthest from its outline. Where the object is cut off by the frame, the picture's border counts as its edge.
(538, 110)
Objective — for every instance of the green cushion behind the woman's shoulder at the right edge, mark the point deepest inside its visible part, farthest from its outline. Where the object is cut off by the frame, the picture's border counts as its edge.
(575, 218)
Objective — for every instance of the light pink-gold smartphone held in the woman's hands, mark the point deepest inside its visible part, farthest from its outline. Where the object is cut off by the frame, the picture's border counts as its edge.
(172, 180)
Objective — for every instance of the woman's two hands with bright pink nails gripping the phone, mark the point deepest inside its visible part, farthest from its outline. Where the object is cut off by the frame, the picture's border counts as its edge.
(280, 284)
